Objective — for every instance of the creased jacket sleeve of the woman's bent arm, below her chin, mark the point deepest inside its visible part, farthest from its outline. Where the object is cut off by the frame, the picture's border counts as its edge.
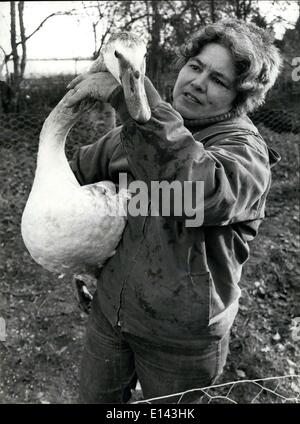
(235, 169)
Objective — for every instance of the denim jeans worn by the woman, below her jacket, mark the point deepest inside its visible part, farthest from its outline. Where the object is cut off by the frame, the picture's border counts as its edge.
(113, 360)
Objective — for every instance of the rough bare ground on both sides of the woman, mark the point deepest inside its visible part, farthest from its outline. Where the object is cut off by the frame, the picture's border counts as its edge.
(45, 328)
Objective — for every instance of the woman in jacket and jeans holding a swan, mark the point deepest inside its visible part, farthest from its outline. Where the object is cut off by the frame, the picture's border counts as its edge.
(166, 301)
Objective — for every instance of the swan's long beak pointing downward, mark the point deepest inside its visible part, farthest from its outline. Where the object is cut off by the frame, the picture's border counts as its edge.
(132, 80)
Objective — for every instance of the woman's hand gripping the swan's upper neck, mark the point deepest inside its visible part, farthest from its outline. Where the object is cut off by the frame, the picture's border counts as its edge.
(98, 86)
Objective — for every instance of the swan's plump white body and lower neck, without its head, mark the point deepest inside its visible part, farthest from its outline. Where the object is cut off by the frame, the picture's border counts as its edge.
(65, 226)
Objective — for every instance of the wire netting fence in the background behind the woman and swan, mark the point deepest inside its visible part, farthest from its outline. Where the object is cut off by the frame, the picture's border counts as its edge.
(280, 129)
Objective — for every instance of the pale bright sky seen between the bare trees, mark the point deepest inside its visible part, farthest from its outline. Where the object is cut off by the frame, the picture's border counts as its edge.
(69, 37)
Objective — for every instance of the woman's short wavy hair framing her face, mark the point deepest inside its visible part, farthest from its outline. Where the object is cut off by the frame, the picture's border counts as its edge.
(257, 61)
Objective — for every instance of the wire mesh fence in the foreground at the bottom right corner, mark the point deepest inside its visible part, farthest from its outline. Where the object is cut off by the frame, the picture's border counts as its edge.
(282, 389)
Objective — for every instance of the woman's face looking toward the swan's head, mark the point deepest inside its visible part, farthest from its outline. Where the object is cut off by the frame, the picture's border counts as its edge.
(205, 84)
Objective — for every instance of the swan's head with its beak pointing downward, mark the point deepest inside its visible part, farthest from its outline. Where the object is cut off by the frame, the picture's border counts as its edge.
(124, 57)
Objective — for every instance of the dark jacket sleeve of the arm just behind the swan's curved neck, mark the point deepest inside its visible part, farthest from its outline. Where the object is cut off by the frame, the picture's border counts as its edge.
(90, 163)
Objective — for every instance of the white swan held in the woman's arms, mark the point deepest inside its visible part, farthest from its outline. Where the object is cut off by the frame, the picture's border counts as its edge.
(68, 228)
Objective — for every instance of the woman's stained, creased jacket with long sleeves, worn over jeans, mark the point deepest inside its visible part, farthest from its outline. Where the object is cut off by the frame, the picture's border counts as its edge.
(169, 281)
